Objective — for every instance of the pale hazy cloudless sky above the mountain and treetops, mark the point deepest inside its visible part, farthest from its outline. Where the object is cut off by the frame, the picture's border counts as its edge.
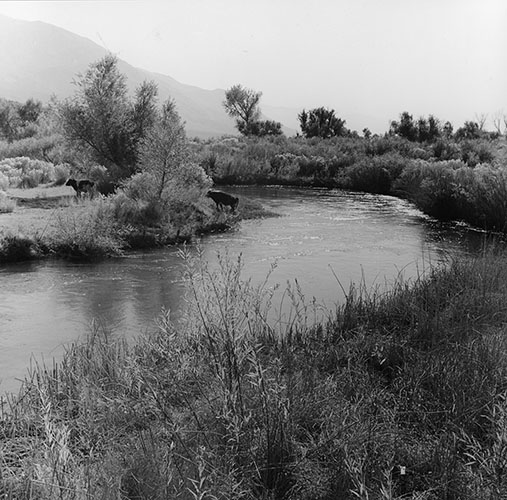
(359, 57)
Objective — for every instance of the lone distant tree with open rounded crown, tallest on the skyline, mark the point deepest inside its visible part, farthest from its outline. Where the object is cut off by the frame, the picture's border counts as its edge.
(243, 104)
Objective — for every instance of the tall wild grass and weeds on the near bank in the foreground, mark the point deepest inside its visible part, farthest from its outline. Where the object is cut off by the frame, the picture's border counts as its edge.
(401, 394)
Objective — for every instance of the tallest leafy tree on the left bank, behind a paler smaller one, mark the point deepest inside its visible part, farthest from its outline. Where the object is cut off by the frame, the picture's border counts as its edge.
(102, 118)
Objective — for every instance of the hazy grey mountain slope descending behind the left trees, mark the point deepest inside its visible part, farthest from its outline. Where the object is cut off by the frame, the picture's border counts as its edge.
(40, 60)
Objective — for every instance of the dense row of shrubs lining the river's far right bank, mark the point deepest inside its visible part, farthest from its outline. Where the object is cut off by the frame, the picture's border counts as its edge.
(451, 180)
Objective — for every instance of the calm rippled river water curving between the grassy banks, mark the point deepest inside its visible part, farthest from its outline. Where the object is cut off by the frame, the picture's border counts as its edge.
(324, 239)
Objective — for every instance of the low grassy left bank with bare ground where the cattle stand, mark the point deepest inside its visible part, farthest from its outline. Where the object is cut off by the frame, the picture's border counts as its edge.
(49, 221)
